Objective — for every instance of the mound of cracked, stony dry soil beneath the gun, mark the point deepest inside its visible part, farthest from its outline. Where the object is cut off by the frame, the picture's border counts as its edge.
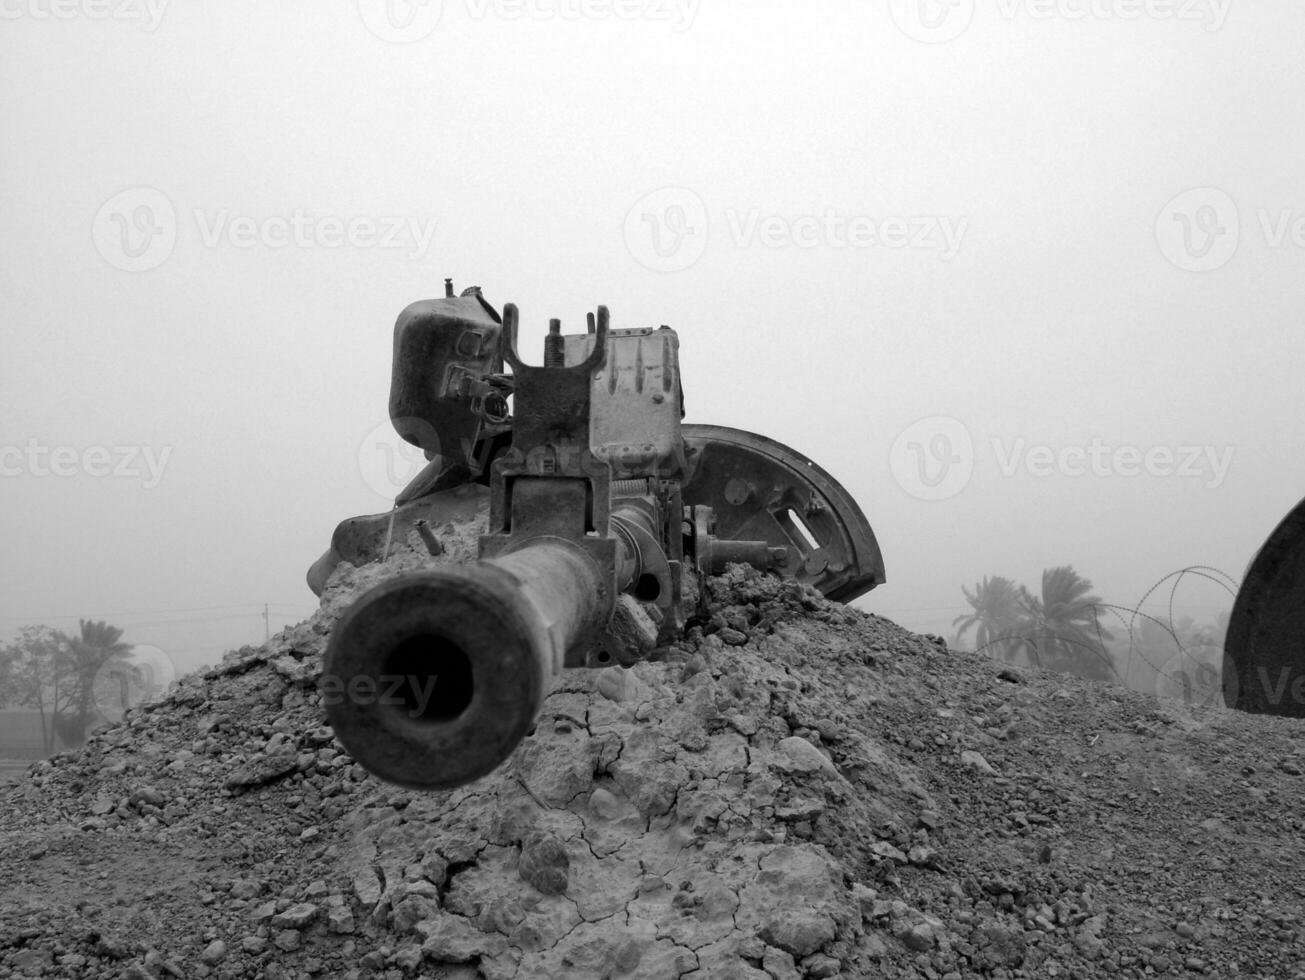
(802, 790)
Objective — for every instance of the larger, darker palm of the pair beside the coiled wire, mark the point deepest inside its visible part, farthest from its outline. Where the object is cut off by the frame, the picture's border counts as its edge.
(1062, 630)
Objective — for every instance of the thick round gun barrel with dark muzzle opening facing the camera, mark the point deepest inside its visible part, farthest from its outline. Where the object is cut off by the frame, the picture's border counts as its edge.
(433, 679)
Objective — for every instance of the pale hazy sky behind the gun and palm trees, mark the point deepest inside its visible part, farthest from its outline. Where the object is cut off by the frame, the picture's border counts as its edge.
(1025, 276)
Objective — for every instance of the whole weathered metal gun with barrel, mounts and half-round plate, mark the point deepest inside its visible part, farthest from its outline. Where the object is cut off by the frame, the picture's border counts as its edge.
(605, 515)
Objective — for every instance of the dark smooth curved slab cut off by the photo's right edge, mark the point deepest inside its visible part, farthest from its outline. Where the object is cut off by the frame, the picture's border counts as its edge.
(1265, 651)
